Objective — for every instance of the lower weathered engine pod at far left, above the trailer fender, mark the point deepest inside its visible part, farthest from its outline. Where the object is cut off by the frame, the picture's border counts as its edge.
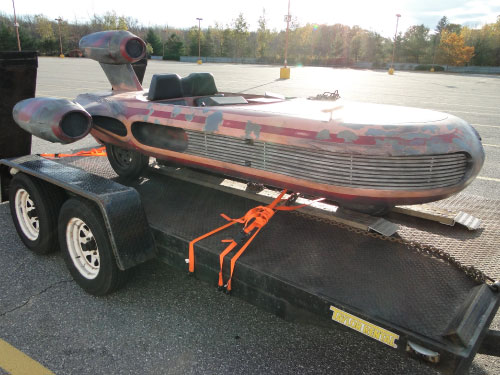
(55, 120)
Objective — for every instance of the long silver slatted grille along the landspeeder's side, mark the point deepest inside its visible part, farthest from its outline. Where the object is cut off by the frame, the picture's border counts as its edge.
(359, 171)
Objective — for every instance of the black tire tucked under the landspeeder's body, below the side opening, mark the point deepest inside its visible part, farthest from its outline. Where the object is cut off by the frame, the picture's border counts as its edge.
(126, 163)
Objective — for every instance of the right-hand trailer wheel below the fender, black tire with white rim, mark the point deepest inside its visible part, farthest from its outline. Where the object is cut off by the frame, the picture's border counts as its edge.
(108, 277)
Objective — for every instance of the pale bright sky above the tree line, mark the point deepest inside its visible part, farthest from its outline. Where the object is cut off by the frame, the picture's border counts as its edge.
(379, 16)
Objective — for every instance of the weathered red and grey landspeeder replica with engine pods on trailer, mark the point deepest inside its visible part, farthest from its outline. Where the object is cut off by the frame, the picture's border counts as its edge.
(362, 156)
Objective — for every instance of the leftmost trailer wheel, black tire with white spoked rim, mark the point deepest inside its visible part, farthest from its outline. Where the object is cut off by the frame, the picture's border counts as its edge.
(46, 200)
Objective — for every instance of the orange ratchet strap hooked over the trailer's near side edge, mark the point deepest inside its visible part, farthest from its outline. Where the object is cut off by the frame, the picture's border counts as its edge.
(253, 221)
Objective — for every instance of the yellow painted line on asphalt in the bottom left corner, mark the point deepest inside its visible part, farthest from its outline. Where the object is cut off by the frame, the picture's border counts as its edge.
(15, 362)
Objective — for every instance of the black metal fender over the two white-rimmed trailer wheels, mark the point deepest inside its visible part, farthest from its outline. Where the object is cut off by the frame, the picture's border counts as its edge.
(121, 208)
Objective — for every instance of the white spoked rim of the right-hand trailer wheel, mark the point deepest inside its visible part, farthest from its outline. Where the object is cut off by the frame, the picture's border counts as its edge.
(82, 248)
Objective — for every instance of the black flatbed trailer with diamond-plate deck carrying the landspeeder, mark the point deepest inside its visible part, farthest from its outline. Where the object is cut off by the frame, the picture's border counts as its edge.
(302, 267)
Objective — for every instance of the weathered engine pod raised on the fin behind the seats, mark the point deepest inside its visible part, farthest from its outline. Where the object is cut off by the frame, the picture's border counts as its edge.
(113, 47)
